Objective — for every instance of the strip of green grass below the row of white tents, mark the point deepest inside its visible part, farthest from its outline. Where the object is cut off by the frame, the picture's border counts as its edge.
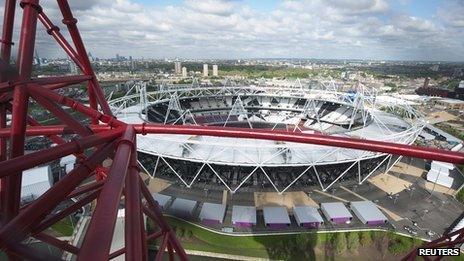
(307, 246)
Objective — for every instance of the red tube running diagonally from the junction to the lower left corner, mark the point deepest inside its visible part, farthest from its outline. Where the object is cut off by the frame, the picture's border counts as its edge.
(18, 228)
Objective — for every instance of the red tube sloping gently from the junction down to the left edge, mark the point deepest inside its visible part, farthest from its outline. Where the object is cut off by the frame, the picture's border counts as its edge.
(36, 158)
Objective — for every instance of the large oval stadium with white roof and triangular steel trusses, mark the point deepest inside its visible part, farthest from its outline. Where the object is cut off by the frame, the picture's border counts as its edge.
(239, 164)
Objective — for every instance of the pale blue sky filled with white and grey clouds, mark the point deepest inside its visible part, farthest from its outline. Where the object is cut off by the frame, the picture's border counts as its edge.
(233, 29)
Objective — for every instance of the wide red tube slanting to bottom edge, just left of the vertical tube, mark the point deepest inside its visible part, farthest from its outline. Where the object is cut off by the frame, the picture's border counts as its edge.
(97, 241)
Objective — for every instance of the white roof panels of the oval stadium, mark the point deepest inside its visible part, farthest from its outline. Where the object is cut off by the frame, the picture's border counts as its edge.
(252, 152)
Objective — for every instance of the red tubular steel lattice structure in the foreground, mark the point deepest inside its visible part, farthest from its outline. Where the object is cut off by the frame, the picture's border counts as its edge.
(104, 137)
